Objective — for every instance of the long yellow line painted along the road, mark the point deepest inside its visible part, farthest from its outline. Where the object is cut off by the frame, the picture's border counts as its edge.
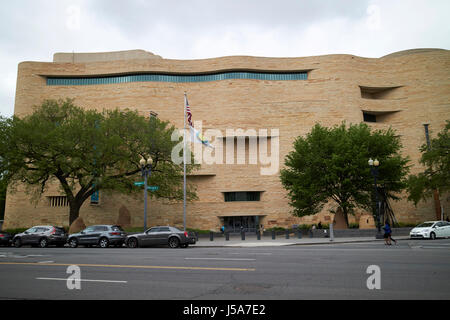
(127, 266)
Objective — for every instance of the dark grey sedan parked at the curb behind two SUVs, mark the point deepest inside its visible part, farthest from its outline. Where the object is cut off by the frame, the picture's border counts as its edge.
(162, 235)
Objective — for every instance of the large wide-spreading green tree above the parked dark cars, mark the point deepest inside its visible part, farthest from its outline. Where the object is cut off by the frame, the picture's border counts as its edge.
(86, 151)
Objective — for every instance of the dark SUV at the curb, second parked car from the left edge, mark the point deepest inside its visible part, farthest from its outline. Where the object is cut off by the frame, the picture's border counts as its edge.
(42, 236)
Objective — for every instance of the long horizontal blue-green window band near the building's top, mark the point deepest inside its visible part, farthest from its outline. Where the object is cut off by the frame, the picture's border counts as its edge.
(76, 81)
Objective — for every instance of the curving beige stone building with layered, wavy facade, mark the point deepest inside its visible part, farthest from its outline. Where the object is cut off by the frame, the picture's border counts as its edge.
(284, 97)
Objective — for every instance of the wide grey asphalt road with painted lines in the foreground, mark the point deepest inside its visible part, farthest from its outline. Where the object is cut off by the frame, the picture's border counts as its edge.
(413, 269)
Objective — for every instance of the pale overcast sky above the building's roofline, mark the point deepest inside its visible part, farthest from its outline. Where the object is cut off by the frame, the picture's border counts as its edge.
(32, 30)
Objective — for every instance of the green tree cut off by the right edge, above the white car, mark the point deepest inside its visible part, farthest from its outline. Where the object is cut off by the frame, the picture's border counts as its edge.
(436, 176)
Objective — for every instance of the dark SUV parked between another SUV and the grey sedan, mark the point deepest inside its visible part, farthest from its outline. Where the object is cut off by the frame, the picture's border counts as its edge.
(99, 235)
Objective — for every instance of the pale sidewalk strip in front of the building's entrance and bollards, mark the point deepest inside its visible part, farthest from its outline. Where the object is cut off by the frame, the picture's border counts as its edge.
(251, 241)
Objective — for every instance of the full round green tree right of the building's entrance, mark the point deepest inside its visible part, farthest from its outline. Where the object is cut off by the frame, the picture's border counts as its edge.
(331, 164)
